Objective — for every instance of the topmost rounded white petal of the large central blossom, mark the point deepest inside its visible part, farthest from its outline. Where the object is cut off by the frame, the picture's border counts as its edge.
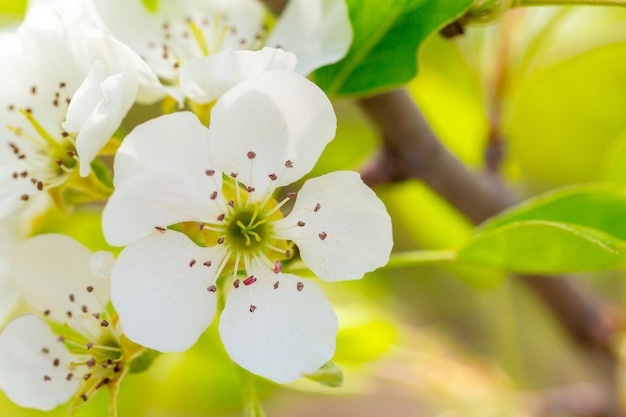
(280, 117)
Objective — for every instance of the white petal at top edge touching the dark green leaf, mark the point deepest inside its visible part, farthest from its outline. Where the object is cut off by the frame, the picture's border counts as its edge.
(317, 31)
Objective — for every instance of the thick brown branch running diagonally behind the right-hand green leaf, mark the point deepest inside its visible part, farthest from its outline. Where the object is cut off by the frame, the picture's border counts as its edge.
(411, 150)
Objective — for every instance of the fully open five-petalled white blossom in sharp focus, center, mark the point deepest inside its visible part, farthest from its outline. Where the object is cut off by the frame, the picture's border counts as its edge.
(196, 205)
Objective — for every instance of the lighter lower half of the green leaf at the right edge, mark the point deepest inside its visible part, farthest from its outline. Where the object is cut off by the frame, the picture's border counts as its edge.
(544, 247)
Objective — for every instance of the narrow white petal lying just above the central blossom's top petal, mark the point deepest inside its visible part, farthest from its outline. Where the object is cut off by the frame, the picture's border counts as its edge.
(205, 79)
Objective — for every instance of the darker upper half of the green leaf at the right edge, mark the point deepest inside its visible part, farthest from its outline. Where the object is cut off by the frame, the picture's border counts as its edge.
(597, 206)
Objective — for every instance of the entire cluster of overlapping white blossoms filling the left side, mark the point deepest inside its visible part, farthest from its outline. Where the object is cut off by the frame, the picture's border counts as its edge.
(201, 197)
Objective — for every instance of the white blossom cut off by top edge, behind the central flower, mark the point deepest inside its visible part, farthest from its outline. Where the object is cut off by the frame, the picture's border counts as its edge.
(204, 46)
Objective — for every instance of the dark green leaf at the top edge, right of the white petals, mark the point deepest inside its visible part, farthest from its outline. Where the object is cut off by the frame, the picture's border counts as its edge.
(387, 36)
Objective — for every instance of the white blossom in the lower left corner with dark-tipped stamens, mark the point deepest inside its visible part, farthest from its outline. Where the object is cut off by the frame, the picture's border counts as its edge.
(43, 366)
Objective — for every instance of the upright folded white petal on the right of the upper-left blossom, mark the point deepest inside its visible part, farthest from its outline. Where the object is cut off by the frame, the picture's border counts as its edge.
(97, 109)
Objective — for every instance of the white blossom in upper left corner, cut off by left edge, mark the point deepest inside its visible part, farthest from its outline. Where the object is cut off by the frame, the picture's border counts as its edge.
(65, 91)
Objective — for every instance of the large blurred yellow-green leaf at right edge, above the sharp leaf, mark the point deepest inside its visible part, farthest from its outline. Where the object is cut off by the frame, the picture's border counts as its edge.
(568, 143)
